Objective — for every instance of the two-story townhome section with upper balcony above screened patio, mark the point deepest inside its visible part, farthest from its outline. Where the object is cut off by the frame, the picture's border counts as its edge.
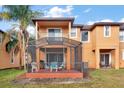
(58, 40)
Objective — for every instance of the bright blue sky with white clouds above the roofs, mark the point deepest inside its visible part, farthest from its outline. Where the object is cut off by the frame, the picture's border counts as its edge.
(84, 14)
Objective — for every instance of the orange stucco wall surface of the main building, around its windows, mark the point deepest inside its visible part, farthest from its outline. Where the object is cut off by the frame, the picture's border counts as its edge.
(97, 42)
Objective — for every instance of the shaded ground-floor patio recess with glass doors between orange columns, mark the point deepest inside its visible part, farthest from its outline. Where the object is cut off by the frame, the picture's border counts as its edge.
(52, 55)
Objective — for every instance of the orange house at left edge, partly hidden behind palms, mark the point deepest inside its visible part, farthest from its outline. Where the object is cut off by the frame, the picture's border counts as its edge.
(7, 60)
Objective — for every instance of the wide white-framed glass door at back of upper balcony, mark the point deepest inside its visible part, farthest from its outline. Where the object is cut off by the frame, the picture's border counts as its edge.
(54, 32)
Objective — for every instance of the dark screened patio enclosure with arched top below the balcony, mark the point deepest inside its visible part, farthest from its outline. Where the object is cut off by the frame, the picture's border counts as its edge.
(63, 51)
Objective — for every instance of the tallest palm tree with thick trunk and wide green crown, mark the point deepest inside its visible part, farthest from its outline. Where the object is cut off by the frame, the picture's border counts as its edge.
(21, 14)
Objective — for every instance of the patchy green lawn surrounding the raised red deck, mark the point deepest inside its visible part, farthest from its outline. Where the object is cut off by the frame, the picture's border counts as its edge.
(98, 78)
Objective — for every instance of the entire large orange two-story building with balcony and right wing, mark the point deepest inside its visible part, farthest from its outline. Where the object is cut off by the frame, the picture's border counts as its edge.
(60, 40)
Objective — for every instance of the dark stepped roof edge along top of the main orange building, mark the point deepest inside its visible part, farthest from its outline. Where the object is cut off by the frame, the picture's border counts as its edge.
(84, 27)
